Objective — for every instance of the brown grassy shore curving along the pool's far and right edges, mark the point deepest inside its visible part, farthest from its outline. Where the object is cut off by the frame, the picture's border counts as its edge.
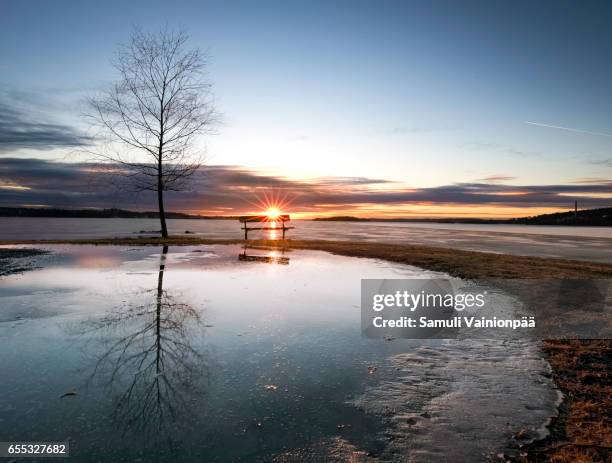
(580, 369)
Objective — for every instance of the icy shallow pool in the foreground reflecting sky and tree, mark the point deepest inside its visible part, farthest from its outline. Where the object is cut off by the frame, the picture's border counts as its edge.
(216, 353)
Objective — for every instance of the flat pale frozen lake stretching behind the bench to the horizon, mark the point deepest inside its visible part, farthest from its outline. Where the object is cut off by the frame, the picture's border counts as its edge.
(582, 243)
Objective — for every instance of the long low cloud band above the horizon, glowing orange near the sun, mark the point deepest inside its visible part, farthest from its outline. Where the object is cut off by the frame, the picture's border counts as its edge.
(236, 189)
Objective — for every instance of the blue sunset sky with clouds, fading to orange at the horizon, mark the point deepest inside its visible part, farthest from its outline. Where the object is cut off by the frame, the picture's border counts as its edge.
(394, 109)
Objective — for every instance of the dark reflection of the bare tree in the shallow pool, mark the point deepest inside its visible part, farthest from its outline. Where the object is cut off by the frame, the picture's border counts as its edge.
(149, 361)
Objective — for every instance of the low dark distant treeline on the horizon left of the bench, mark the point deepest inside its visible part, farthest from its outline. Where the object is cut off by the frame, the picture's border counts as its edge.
(99, 214)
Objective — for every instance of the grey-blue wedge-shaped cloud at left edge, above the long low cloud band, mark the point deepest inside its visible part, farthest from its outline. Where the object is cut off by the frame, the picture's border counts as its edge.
(21, 128)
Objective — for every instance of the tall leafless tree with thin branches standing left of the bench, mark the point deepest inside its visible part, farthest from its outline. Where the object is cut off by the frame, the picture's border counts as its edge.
(154, 113)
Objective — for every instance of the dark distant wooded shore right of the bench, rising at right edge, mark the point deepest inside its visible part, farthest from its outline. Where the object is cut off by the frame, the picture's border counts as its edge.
(587, 217)
